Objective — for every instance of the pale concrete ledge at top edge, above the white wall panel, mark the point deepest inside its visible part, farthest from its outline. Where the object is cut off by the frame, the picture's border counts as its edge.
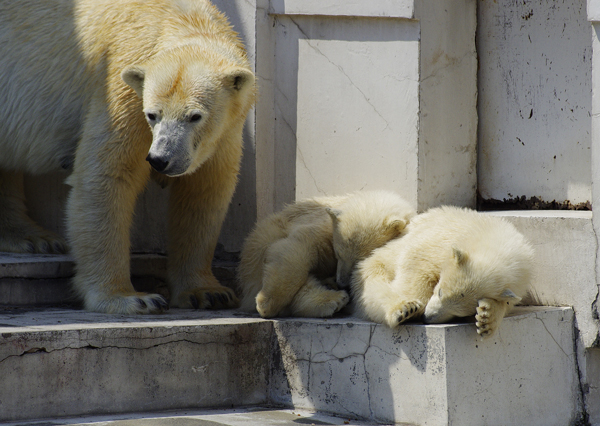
(371, 8)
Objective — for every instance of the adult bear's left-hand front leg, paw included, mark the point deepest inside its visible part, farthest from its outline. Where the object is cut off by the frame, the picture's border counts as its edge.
(108, 174)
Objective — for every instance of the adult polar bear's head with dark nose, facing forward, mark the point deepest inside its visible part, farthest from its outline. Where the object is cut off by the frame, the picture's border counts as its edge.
(189, 104)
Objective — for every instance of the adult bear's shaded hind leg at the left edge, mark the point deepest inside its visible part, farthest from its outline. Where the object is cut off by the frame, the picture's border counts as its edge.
(18, 233)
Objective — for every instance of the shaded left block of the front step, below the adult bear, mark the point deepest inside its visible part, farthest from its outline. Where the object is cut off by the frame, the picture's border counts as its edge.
(65, 363)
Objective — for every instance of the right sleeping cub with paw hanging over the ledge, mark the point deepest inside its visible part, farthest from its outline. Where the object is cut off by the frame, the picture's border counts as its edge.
(452, 262)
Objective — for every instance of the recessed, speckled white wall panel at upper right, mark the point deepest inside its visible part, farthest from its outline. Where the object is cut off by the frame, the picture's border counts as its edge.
(534, 100)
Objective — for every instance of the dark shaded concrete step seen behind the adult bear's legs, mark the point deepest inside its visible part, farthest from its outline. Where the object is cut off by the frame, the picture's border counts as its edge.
(44, 280)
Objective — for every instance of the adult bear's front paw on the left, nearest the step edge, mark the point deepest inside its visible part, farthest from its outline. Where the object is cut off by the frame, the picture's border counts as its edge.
(128, 304)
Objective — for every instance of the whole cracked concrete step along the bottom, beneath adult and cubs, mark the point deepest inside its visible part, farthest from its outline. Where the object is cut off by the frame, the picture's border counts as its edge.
(56, 363)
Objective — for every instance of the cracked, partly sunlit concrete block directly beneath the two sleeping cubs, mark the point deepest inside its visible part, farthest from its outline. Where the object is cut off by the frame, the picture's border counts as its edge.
(434, 375)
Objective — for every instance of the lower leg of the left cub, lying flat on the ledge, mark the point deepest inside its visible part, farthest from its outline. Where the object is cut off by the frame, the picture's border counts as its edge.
(316, 300)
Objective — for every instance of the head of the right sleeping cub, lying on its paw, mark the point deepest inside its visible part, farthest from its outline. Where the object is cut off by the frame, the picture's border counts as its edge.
(463, 282)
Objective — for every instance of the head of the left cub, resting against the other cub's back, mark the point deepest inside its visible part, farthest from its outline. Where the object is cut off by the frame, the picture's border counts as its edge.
(365, 222)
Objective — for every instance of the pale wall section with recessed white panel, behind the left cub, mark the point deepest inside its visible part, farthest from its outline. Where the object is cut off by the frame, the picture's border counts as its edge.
(361, 98)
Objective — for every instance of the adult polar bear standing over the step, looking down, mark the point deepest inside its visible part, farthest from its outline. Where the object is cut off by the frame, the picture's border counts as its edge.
(72, 78)
